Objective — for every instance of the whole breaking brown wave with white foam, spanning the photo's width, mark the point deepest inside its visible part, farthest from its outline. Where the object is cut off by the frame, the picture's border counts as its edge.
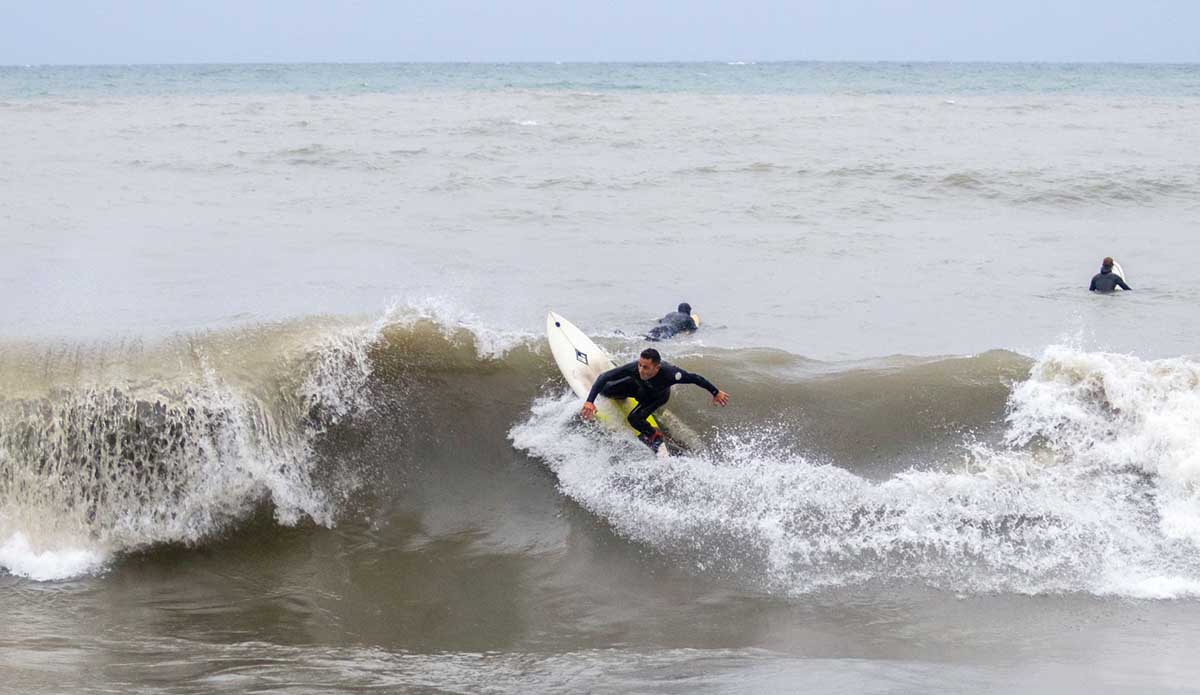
(1072, 472)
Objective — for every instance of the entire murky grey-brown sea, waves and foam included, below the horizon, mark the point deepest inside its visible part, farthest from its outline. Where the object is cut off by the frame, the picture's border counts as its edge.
(277, 411)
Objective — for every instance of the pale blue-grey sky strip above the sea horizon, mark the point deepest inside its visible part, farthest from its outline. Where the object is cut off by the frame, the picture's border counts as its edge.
(117, 32)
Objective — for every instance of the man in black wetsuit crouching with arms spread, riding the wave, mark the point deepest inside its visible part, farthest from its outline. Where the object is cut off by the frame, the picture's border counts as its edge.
(650, 381)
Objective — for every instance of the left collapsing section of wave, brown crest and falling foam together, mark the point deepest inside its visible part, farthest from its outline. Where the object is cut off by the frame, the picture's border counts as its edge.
(115, 462)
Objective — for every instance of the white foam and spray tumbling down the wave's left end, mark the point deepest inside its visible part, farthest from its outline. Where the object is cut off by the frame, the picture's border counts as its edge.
(229, 452)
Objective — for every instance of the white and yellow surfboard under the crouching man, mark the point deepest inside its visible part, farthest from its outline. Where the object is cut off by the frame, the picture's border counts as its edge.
(581, 362)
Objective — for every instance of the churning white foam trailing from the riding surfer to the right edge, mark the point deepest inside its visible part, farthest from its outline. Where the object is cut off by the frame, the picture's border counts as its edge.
(1095, 493)
